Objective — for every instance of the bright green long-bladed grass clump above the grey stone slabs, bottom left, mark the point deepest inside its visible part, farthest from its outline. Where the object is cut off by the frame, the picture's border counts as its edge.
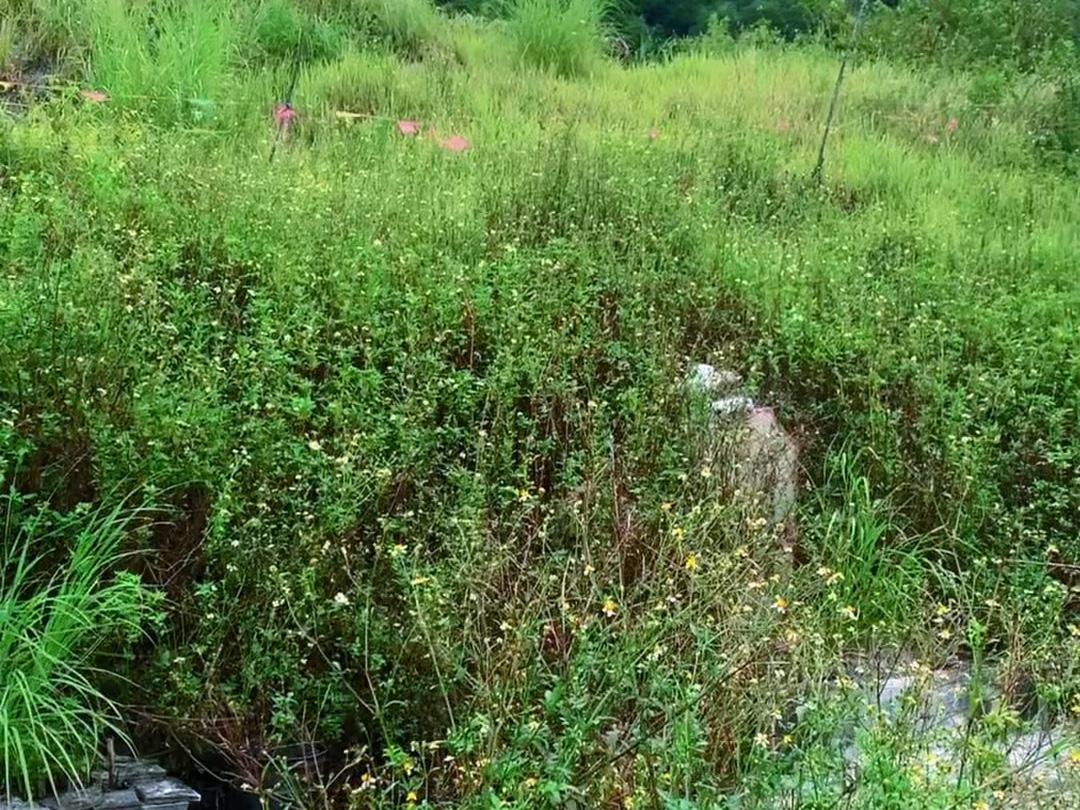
(63, 602)
